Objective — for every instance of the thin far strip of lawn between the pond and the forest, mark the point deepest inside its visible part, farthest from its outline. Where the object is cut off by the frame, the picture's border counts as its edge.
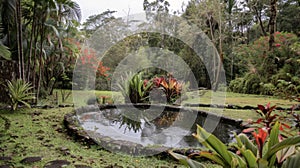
(81, 98)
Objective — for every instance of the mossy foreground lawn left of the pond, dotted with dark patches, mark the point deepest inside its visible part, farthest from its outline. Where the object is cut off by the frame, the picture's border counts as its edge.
(40, 133)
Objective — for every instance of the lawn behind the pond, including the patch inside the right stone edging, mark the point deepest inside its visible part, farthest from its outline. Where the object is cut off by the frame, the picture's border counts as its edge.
(231, 98)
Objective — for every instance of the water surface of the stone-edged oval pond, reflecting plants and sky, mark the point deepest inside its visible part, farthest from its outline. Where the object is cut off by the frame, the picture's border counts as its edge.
(166, 126)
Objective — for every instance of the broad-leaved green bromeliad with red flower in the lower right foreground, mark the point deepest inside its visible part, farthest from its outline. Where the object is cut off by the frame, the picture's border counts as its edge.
(273, 153)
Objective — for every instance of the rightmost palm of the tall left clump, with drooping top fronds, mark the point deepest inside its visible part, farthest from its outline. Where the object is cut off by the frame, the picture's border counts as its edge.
(60, 17)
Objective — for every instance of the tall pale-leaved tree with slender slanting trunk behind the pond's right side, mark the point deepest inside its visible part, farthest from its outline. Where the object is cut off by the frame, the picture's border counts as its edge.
(210, 17)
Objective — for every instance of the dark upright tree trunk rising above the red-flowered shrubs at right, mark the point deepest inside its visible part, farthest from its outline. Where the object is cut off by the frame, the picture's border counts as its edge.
(272, 24)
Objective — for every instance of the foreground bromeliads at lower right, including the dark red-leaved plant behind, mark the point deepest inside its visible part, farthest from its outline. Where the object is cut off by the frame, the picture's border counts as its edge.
(268, 147)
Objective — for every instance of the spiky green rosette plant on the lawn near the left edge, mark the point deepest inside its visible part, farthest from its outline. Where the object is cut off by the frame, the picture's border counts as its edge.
(19, 92)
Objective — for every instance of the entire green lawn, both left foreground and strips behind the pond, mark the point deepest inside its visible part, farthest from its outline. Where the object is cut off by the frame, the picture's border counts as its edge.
(40, 132)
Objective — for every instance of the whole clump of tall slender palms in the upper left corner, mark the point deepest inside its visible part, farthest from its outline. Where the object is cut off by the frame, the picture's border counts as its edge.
(45, 23)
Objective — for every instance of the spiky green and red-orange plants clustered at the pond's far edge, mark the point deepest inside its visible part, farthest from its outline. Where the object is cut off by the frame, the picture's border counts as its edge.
(158, 89)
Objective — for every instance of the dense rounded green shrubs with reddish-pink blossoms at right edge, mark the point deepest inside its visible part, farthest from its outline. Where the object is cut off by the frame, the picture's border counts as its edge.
(270, 72)
